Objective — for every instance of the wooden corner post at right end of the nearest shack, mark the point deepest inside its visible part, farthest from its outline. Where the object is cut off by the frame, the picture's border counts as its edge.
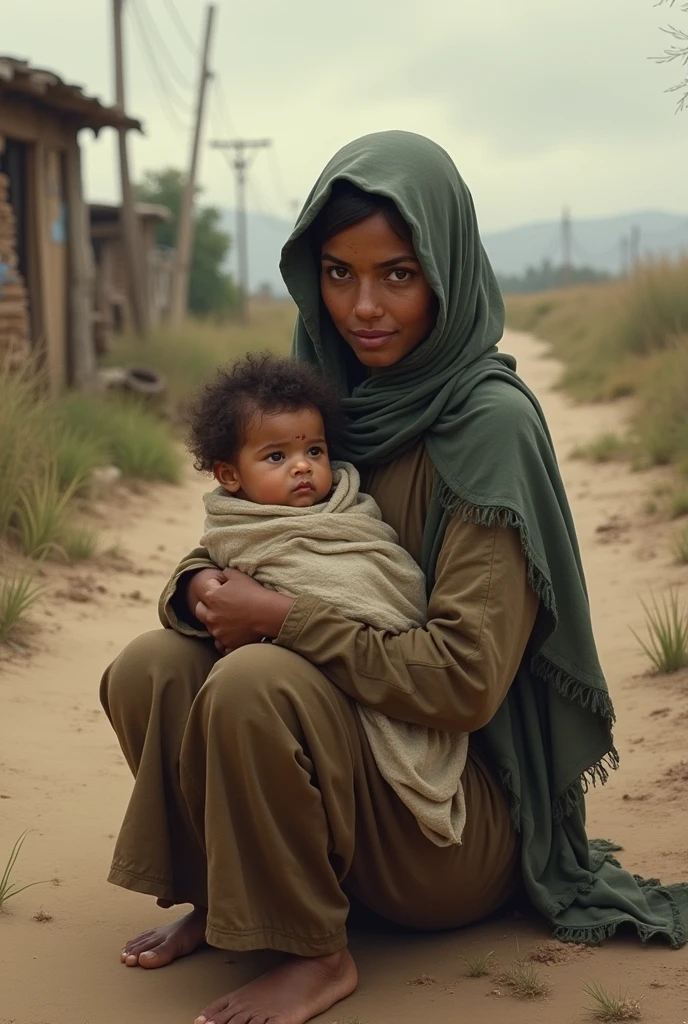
(81, 349)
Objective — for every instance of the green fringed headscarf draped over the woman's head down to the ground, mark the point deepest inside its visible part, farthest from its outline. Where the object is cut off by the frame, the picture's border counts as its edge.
(487, 437)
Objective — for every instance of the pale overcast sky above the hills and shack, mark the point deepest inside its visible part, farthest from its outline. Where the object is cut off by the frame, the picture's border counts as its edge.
(540, 104)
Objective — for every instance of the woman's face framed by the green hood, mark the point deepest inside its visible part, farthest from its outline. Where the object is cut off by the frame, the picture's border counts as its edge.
(375, 291)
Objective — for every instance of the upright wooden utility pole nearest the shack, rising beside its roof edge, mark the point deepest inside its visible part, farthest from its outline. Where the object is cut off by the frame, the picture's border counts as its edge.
(131, 233)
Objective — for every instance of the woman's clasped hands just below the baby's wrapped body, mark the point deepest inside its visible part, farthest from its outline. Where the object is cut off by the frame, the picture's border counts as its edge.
(236, 610)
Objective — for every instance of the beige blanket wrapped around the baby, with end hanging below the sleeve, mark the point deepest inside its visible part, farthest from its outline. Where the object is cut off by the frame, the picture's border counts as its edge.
(341, 551)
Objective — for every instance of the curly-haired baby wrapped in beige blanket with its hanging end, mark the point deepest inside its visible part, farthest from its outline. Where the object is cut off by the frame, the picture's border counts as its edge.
(297, 523)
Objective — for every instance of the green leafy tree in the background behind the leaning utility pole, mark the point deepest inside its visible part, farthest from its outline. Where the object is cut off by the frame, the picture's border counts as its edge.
(211, 289)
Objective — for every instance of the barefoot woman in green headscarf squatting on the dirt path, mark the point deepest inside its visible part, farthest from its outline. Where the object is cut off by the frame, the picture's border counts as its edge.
(256, 798)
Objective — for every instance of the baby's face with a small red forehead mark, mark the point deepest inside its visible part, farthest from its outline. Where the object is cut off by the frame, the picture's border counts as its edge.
(284, 461)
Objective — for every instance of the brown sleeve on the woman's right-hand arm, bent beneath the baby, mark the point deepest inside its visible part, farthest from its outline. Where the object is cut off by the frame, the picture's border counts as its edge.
(455, 673)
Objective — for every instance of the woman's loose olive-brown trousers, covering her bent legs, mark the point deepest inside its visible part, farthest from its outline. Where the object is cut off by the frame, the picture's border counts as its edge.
(256, 796)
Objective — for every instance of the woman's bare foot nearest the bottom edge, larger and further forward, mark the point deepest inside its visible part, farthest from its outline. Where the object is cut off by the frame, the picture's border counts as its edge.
(291, 994)
